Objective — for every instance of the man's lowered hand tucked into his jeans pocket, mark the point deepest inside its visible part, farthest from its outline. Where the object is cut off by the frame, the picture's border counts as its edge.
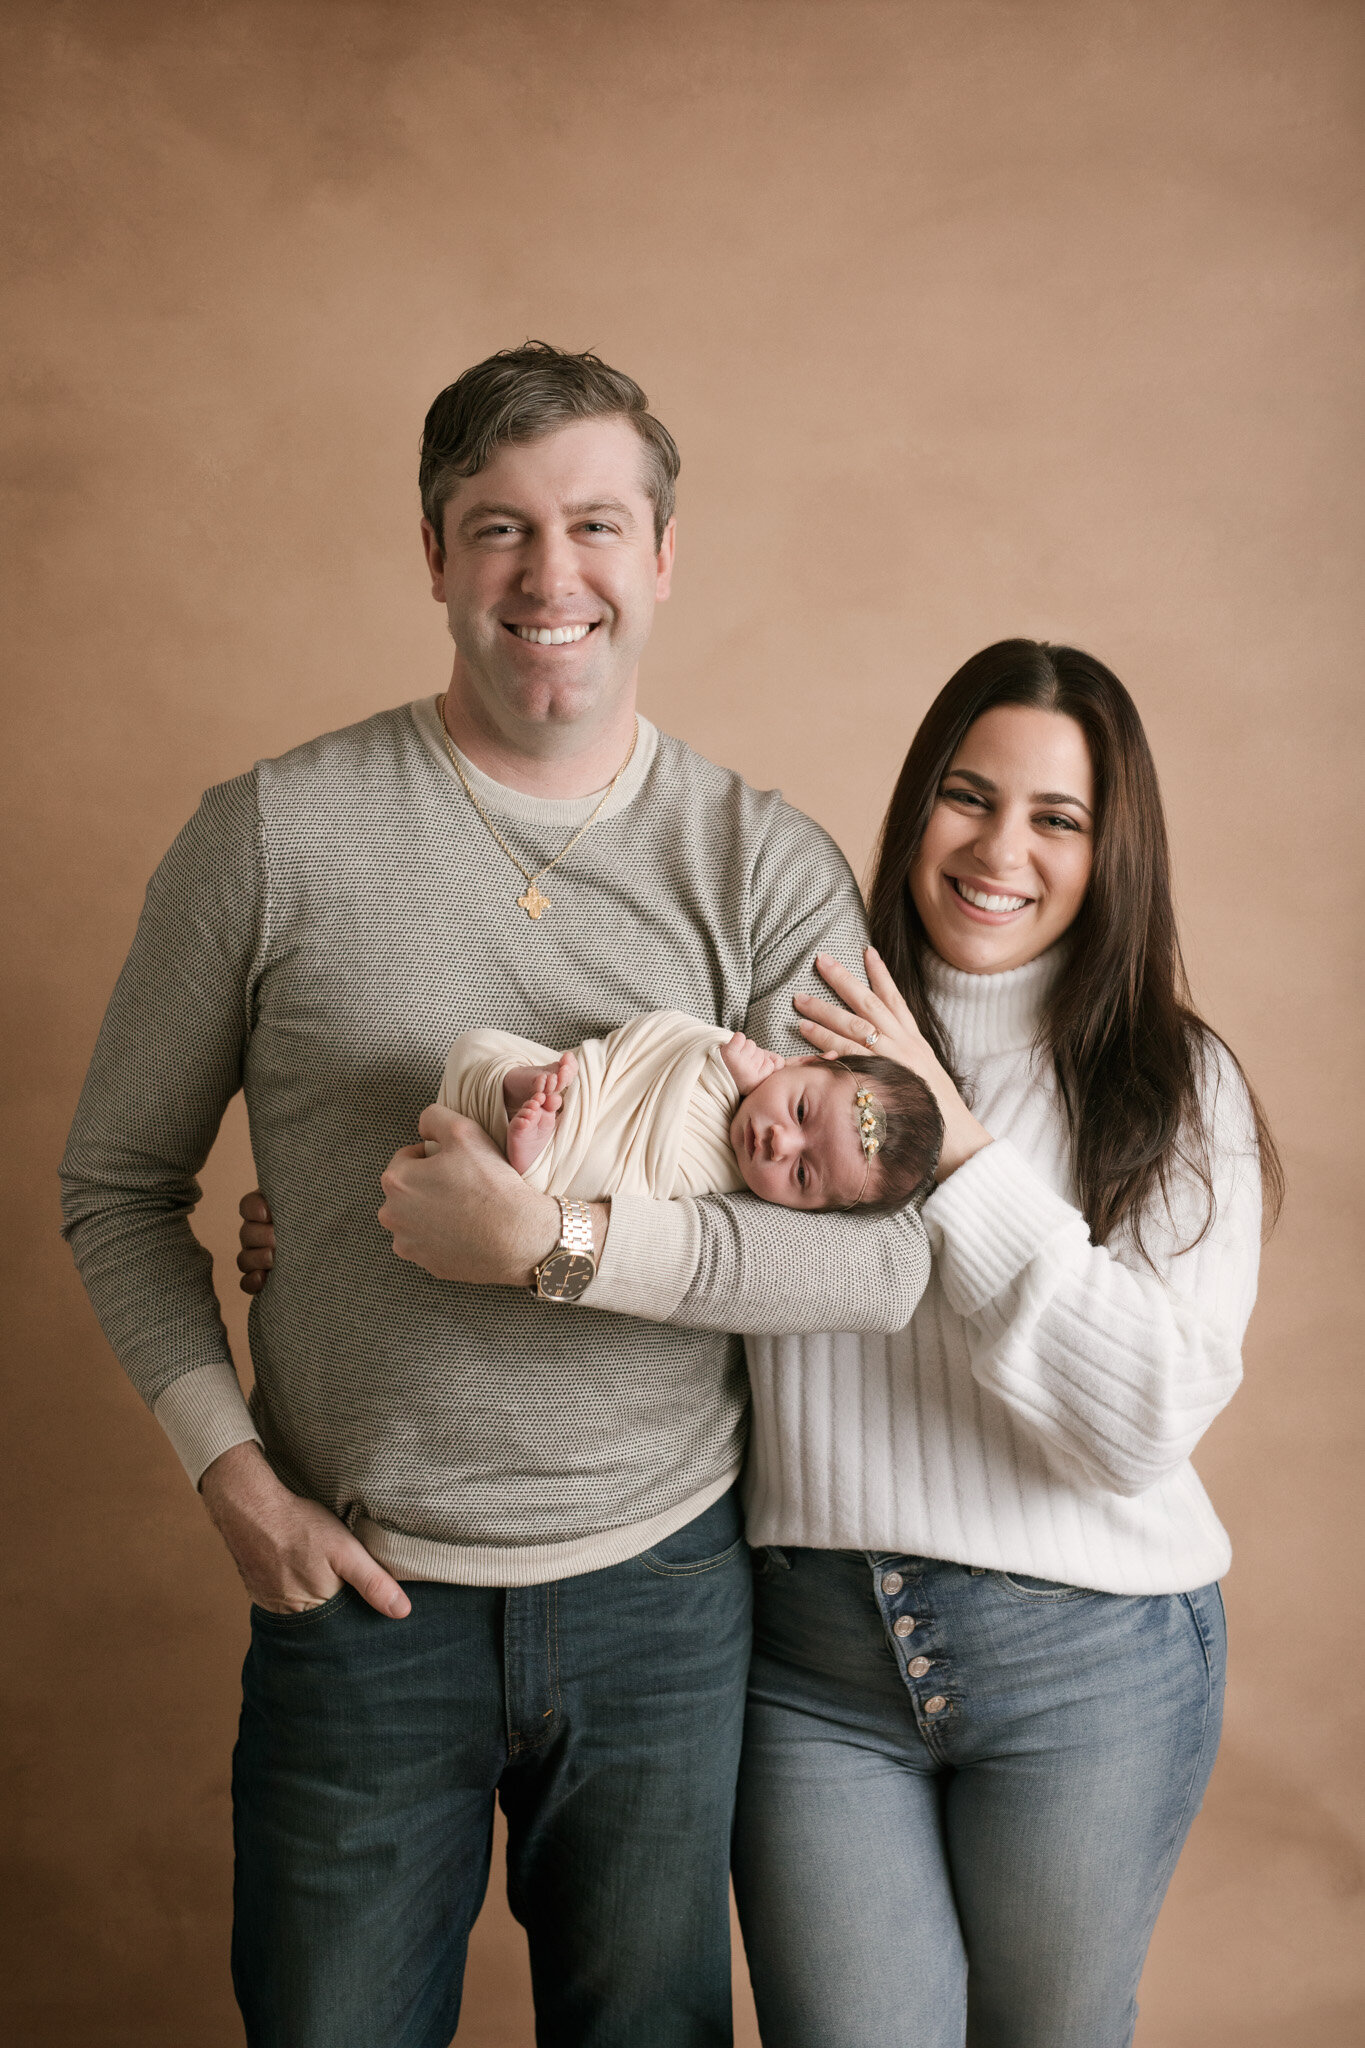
(292, 1553)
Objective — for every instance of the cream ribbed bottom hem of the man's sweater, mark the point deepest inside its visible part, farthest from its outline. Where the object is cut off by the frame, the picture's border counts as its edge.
(449, 1564)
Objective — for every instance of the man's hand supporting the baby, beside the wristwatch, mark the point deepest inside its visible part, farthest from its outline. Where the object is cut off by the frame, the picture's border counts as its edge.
(457, 1207)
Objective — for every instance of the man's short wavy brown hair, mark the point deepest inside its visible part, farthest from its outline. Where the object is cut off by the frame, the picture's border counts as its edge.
(523, 394)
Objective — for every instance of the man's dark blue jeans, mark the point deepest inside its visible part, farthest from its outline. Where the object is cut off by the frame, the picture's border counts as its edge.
(603, 1711)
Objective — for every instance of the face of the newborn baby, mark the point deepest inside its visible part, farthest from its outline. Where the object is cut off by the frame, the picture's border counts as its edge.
(797, 1140)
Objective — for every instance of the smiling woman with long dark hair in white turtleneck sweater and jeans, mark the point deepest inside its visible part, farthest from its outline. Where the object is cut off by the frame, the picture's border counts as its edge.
(989, 1644)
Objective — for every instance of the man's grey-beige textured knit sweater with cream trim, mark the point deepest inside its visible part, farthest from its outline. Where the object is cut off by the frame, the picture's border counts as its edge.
(318, 935)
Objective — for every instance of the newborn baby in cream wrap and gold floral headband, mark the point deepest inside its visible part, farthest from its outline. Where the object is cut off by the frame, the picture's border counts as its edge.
(670, 1107)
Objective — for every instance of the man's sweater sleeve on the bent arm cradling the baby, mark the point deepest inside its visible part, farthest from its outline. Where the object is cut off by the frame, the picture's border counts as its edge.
(734, 1263)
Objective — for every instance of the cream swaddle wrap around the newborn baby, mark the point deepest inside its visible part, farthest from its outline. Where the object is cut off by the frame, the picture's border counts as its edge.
(648, 1113)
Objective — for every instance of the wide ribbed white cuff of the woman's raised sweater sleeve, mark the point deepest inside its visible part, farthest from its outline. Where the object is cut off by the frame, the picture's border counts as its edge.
(989, 1220)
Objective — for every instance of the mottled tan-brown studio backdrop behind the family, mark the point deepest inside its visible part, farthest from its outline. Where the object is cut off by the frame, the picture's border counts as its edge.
(977, 318)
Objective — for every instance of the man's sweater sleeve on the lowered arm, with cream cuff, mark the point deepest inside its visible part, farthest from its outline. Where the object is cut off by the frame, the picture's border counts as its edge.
(167, 1064)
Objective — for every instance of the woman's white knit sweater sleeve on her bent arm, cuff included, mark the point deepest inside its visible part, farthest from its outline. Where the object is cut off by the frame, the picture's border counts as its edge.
(1116, 1365)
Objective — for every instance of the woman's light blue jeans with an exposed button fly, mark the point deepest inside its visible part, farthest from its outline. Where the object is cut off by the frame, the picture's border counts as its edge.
(963, 1797)
